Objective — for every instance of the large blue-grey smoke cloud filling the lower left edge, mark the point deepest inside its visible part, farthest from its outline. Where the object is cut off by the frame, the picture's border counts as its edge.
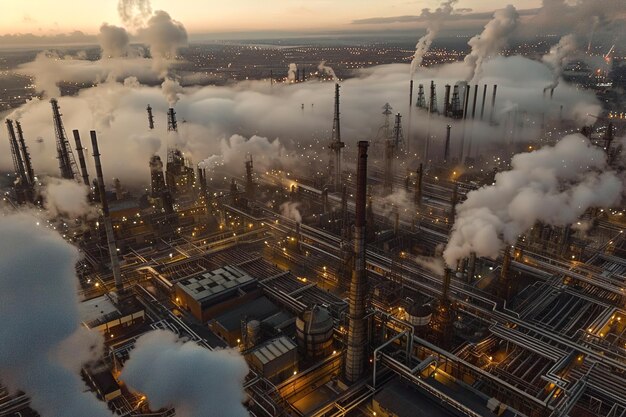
(43, 347)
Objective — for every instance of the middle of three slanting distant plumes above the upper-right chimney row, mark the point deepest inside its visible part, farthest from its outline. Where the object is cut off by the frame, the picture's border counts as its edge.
(491, 41)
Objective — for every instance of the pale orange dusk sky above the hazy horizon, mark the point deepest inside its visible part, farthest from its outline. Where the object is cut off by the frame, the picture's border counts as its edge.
(52, 17)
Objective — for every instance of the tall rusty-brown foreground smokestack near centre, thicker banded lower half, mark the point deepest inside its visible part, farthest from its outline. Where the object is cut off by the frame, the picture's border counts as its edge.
(357, 329)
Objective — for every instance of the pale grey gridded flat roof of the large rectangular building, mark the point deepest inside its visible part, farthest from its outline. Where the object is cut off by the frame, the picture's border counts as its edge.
(210, 284)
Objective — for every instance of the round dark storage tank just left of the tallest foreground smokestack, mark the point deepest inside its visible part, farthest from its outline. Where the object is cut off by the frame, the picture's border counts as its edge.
(315, 332)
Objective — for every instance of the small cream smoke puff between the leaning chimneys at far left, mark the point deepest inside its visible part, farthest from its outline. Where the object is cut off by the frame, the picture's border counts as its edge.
(67, 199)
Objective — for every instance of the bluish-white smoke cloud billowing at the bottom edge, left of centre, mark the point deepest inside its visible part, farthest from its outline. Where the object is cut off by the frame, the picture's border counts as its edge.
(197, 382)
